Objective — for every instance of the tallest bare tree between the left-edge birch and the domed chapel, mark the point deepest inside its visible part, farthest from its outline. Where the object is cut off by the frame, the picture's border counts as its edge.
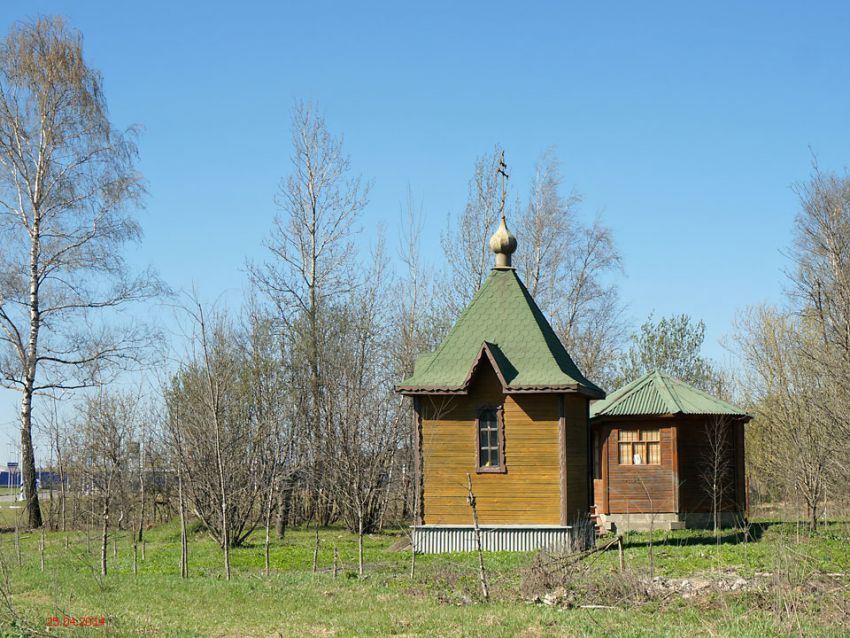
(311, 247)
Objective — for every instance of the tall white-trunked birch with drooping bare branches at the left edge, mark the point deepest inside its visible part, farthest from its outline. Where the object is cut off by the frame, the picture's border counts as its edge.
(67, 177)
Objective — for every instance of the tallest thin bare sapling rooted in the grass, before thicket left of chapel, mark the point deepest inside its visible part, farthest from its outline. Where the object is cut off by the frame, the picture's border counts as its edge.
(223, 448)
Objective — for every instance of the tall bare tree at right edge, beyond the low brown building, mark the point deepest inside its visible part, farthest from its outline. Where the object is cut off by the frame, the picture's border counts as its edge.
(798, 357)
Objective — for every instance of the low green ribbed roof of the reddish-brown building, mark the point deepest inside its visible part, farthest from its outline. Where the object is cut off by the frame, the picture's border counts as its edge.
(658, 393)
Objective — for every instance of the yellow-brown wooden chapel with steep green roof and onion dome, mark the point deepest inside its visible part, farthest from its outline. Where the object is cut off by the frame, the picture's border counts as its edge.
(502, 402)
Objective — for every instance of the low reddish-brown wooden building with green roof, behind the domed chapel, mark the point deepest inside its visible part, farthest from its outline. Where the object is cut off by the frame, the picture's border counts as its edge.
(667, 455)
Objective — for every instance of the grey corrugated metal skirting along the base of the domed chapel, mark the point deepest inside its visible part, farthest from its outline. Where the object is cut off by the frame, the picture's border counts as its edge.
(440, 539)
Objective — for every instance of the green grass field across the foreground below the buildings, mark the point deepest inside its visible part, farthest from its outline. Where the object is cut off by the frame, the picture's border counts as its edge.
(442, 600)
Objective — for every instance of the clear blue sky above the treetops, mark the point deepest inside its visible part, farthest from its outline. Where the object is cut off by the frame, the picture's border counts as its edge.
(683, 124)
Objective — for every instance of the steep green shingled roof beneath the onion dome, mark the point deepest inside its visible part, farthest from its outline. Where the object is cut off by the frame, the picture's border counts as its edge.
(503, 325)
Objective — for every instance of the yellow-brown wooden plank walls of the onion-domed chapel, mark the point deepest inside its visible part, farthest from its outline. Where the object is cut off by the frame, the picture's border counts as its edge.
(529, 492)
